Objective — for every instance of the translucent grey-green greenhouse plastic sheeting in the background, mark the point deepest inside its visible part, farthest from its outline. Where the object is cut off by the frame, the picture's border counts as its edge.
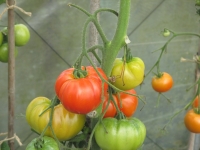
(56, 41)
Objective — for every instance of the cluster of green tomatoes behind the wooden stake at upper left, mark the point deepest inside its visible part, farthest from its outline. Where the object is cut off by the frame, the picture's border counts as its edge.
(22, 36)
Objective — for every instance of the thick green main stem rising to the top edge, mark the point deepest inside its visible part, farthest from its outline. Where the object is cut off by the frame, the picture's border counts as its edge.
(118, 40)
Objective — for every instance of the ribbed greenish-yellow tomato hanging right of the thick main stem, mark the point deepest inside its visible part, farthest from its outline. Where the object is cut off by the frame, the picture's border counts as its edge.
(128, 75)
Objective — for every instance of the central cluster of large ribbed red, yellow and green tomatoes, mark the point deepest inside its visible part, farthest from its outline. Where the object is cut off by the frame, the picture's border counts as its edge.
(82, 90)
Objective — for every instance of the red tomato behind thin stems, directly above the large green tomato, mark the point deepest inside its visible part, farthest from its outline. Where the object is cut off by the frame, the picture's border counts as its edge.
(126, 103)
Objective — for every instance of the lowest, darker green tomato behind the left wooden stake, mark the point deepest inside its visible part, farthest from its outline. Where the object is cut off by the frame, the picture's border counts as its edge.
(4, 52)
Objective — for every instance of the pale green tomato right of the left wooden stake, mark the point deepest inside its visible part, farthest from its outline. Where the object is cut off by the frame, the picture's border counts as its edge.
(22, 35)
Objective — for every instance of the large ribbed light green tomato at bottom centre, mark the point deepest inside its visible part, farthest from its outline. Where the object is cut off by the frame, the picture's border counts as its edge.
(124, 134)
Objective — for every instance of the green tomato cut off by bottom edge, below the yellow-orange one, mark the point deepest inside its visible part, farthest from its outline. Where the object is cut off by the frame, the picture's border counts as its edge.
(46, 143)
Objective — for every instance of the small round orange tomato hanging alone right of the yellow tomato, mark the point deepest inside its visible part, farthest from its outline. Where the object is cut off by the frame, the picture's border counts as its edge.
(163, 83)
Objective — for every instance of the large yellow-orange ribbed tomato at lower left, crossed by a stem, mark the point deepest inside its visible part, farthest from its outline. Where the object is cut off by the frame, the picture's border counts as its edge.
(65, 124)
